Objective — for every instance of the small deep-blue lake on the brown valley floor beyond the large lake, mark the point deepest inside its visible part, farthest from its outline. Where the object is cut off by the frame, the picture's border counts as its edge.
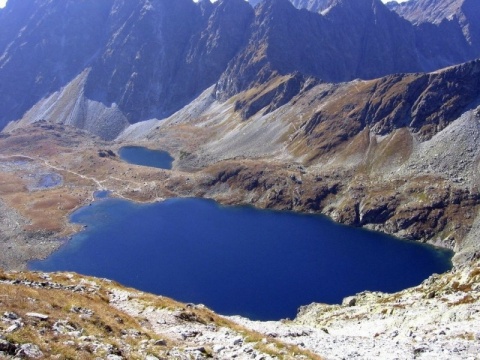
(142, 156)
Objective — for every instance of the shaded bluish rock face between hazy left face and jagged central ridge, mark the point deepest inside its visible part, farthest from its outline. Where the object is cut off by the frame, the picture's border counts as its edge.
(161, 55)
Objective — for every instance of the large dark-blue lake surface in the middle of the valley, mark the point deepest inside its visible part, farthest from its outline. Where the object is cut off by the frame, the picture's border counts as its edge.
(238, 260)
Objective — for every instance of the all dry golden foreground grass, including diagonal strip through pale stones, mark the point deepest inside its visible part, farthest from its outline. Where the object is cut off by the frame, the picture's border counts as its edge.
(106, 322)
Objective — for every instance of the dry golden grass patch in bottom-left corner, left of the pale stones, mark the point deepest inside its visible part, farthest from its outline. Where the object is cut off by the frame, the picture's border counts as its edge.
(105, 323)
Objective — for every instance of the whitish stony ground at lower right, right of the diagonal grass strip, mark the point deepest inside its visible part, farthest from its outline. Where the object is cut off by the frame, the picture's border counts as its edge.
(437, 320)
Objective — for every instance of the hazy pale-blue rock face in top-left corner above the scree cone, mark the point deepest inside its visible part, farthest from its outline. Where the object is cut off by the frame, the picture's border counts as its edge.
(43, 46)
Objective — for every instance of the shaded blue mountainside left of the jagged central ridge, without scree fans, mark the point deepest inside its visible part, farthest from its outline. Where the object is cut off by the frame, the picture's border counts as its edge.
(147, 59)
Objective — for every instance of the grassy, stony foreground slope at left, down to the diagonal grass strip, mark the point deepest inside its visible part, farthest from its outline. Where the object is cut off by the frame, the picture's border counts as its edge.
(67, 316)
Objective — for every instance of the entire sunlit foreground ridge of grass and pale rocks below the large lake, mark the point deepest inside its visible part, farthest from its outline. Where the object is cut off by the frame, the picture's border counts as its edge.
(65, 315)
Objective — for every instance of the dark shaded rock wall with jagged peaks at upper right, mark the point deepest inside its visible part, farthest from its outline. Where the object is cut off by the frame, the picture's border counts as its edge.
(352, 39)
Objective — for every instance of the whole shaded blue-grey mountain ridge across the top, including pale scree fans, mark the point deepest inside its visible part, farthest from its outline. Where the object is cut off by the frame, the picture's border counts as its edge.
(136, 63)
